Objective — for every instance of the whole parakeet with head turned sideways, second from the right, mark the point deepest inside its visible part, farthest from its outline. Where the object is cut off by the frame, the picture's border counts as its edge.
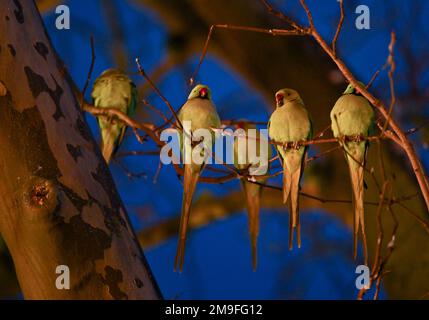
(290, 123)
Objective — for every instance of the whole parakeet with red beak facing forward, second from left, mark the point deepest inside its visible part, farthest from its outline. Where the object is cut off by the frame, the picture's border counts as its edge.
(200, 111)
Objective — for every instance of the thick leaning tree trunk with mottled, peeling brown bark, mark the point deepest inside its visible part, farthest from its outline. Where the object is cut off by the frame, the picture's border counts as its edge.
(58, 202)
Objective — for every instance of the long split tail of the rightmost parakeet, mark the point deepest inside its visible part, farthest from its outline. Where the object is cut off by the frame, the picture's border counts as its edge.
(356, 175)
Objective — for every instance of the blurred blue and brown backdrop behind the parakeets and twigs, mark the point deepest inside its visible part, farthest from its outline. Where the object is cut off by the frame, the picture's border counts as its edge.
(244, 70)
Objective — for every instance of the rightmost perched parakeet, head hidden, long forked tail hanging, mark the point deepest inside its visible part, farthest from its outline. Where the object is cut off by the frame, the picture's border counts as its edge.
(353, 117)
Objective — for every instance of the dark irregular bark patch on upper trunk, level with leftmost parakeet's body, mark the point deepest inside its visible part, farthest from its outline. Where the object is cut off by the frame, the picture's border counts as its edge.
(38, 85)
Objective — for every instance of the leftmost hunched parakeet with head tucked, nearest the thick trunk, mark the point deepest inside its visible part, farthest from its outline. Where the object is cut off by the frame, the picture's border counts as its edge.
(113, 89)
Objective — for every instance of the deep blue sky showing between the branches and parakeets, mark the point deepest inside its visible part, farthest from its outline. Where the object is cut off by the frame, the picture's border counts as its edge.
(217, 264)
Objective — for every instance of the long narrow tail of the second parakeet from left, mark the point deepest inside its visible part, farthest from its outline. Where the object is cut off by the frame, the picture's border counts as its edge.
(190, 180)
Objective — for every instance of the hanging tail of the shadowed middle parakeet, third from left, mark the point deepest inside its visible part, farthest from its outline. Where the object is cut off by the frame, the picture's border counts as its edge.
(252, 193)
